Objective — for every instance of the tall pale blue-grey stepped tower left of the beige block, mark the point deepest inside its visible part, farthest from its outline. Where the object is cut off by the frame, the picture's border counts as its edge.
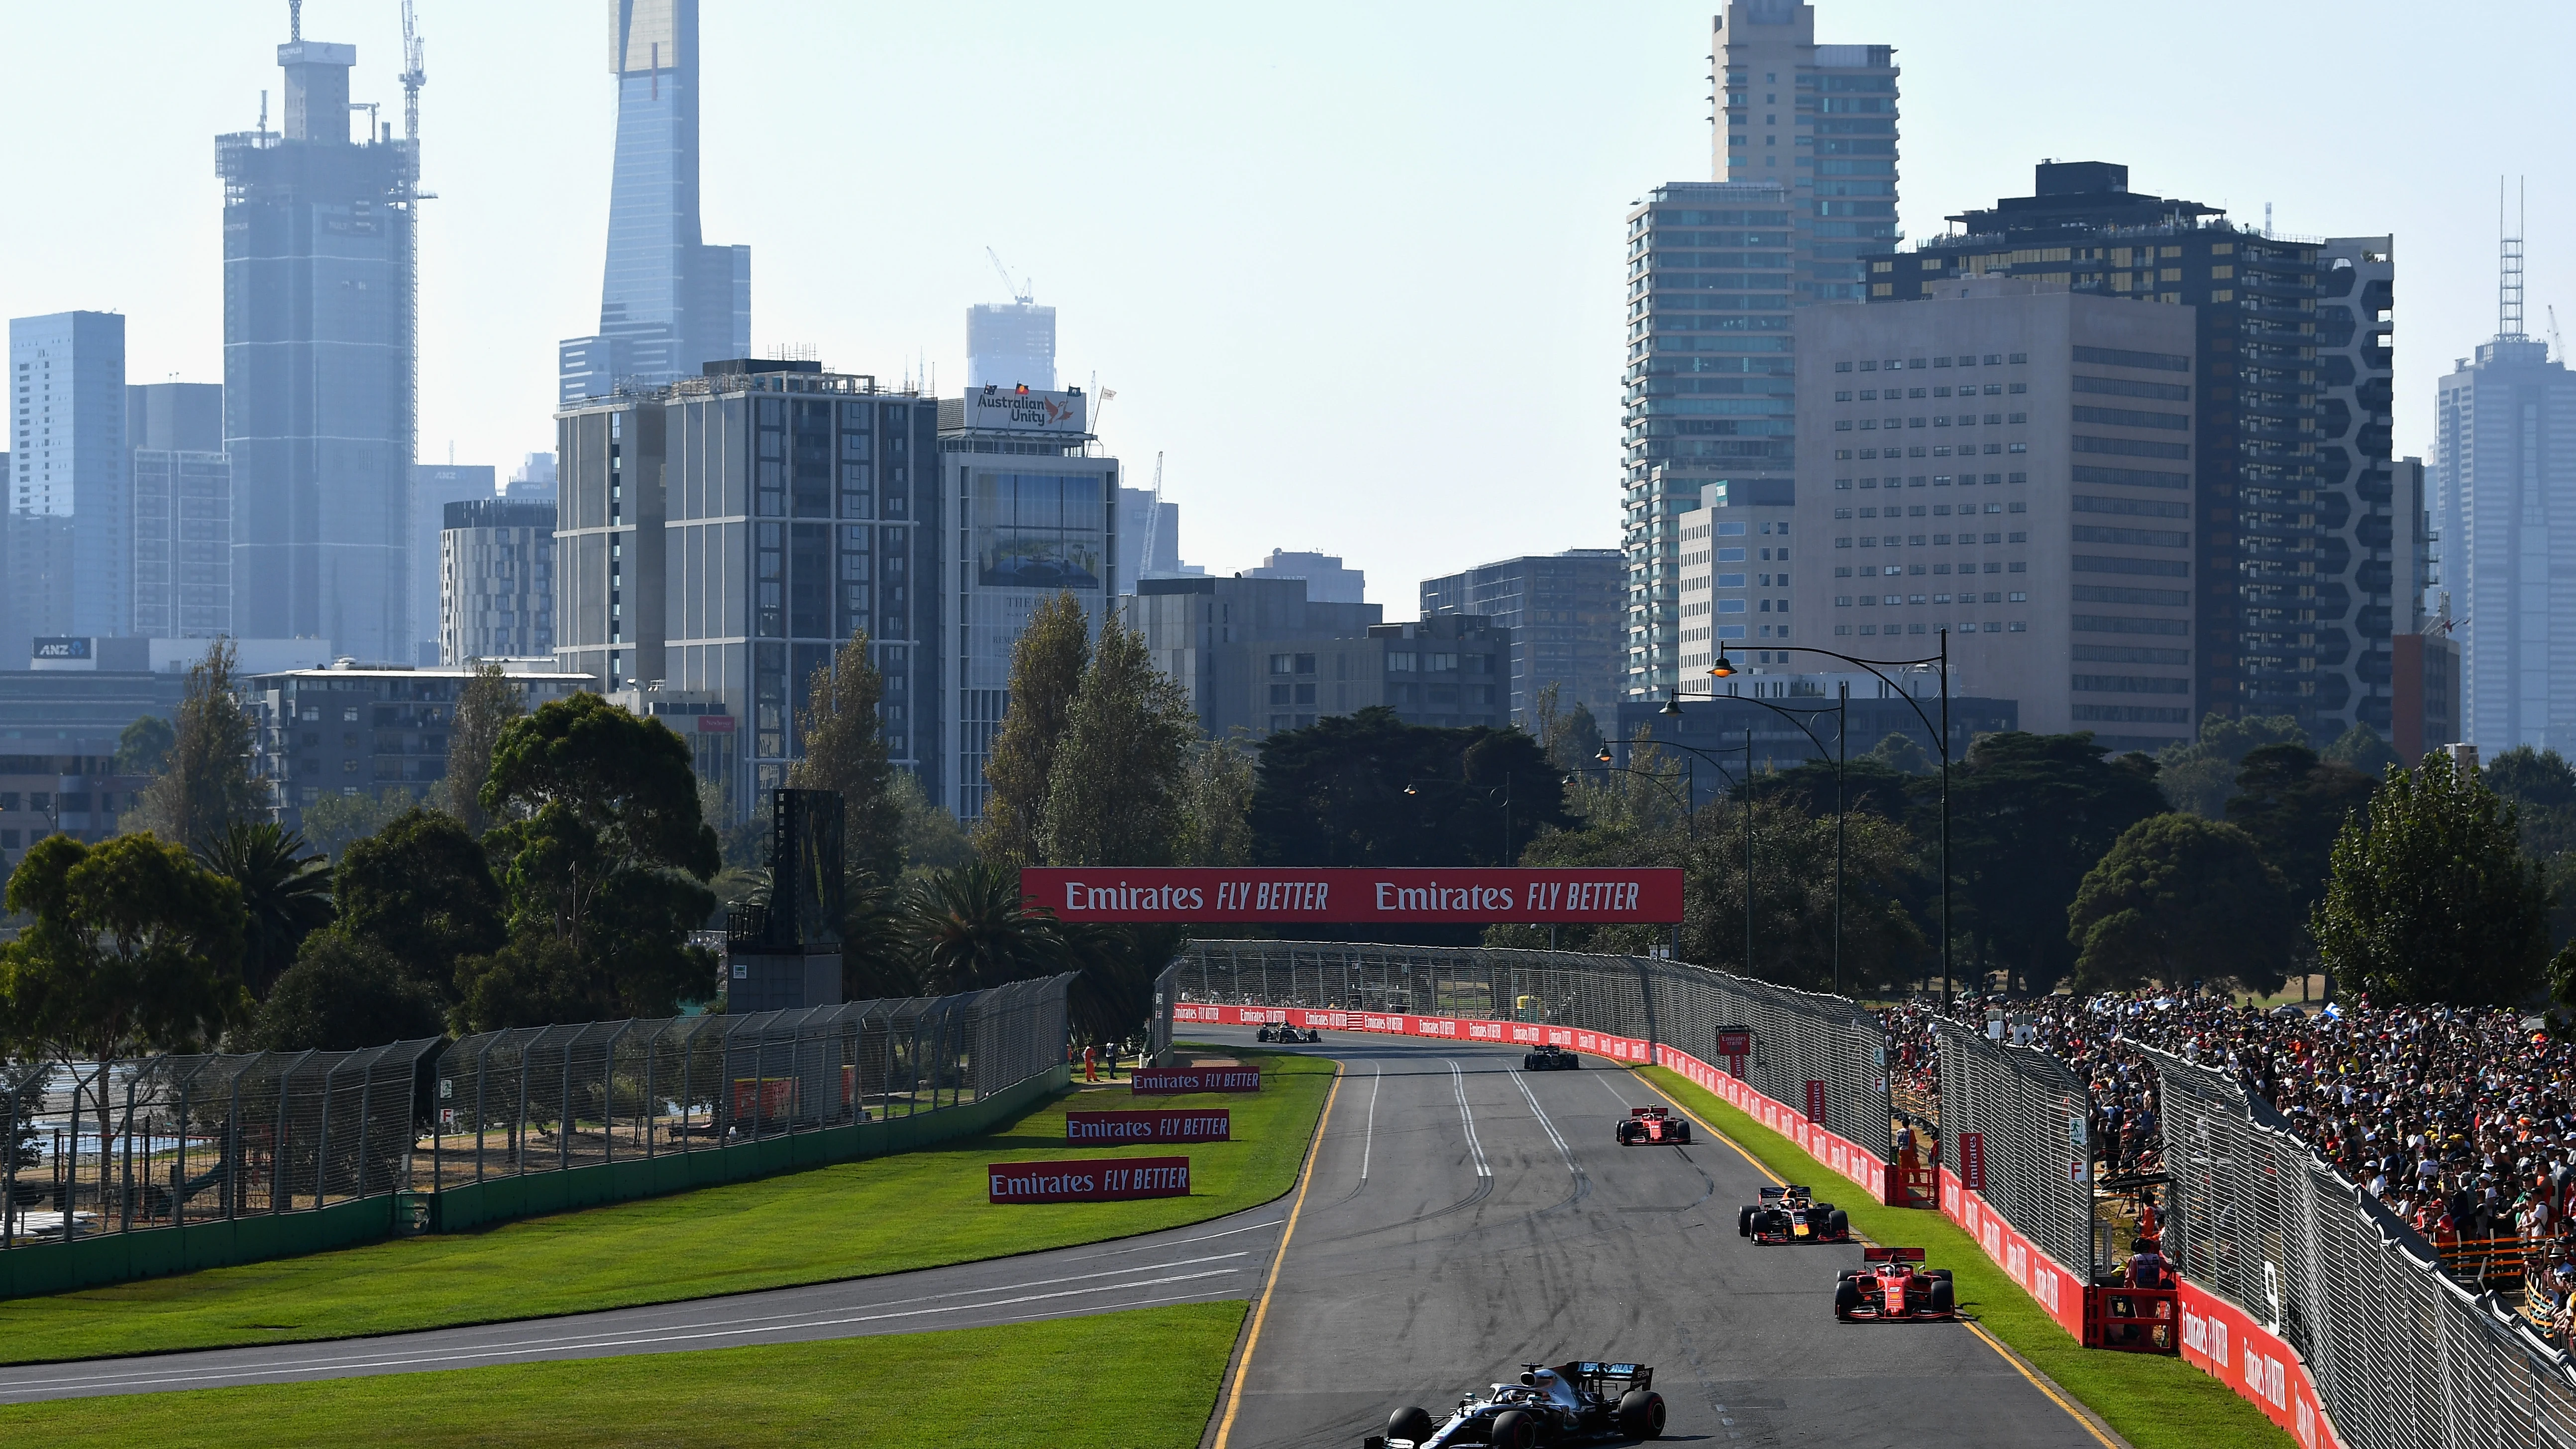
(1810, 187)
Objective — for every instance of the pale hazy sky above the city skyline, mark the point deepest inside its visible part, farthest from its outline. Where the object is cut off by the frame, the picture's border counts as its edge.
(1351, 269)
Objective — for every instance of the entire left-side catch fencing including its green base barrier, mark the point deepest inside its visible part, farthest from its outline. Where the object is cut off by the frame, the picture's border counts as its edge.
(277, 1154)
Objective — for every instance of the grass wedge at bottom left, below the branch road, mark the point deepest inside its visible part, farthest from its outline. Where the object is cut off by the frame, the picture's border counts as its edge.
(1142, 1378)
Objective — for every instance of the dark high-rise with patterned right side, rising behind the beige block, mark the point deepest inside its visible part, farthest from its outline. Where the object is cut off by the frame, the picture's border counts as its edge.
(2291, 431)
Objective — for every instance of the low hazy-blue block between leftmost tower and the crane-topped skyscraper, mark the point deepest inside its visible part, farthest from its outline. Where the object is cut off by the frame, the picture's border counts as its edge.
(182, 511)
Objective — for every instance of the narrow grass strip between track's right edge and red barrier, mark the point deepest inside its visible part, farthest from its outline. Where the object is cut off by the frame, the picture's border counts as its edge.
(2147, 1399)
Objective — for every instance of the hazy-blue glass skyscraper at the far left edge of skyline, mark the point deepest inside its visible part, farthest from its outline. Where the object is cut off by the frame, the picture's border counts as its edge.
(71, 498)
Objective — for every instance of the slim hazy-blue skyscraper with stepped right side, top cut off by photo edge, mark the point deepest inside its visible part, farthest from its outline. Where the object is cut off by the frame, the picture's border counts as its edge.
(668, 302)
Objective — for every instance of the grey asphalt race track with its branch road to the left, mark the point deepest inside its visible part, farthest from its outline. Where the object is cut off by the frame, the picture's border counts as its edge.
(1459, 1219)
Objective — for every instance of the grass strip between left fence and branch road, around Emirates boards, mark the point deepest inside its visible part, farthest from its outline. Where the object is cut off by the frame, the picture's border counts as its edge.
(877, 1216)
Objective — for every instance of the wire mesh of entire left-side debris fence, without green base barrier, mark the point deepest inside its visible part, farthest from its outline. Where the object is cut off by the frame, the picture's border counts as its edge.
(169, 1141)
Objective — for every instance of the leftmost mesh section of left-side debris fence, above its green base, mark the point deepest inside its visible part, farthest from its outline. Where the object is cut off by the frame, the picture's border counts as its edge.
(166, 1141)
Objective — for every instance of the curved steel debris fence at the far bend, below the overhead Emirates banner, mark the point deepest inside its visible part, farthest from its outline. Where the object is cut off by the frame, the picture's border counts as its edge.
(1797, 1036)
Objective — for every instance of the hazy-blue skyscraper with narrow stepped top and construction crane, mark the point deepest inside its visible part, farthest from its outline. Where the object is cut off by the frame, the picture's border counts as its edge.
(321, 367)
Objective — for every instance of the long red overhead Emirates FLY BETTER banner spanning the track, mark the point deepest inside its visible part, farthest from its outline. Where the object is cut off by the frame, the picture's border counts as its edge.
(1356, 897)
